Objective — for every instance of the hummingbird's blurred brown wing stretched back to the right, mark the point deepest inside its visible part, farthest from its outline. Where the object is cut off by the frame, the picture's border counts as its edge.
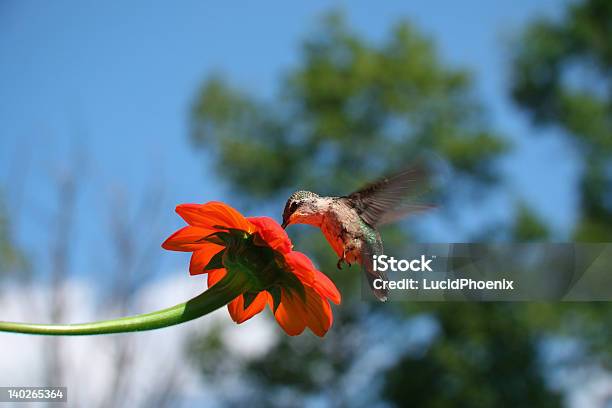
(389, 199)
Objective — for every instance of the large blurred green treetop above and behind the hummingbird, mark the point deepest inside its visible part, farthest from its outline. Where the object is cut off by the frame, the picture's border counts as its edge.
(351, 110)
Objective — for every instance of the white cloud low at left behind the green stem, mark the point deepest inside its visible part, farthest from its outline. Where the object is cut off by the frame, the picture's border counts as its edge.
(89, 361)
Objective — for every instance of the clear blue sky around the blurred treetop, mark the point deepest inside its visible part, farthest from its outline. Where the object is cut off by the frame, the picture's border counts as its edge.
(119, 78)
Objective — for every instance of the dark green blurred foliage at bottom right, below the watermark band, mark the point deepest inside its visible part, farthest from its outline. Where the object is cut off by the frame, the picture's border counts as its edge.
(485, 359)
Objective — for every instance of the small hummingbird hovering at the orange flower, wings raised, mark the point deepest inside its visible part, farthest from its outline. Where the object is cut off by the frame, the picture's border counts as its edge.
(350, 223)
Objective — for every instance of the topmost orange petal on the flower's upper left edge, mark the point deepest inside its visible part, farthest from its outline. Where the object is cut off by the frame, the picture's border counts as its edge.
(212, 214)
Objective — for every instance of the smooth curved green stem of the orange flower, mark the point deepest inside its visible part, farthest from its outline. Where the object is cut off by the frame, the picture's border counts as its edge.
(215, 297)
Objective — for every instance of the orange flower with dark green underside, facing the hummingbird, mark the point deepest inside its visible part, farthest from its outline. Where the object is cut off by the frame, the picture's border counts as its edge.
(223, 241)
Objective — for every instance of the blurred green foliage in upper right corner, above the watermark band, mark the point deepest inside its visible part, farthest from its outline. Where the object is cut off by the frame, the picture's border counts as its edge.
(562, 73)
